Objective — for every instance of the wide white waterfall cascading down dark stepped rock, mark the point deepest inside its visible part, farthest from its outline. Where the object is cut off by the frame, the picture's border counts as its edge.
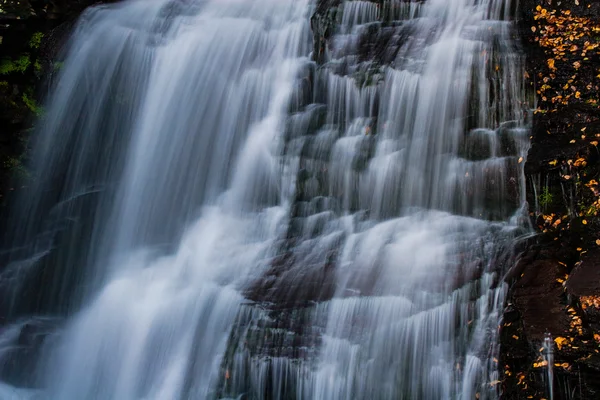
(216, 216)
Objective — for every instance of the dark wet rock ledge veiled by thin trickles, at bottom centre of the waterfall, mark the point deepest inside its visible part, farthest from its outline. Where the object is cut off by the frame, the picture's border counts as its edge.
(277, 343)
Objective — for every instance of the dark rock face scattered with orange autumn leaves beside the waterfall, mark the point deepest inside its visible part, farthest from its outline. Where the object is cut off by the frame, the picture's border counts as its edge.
(556, 285)
